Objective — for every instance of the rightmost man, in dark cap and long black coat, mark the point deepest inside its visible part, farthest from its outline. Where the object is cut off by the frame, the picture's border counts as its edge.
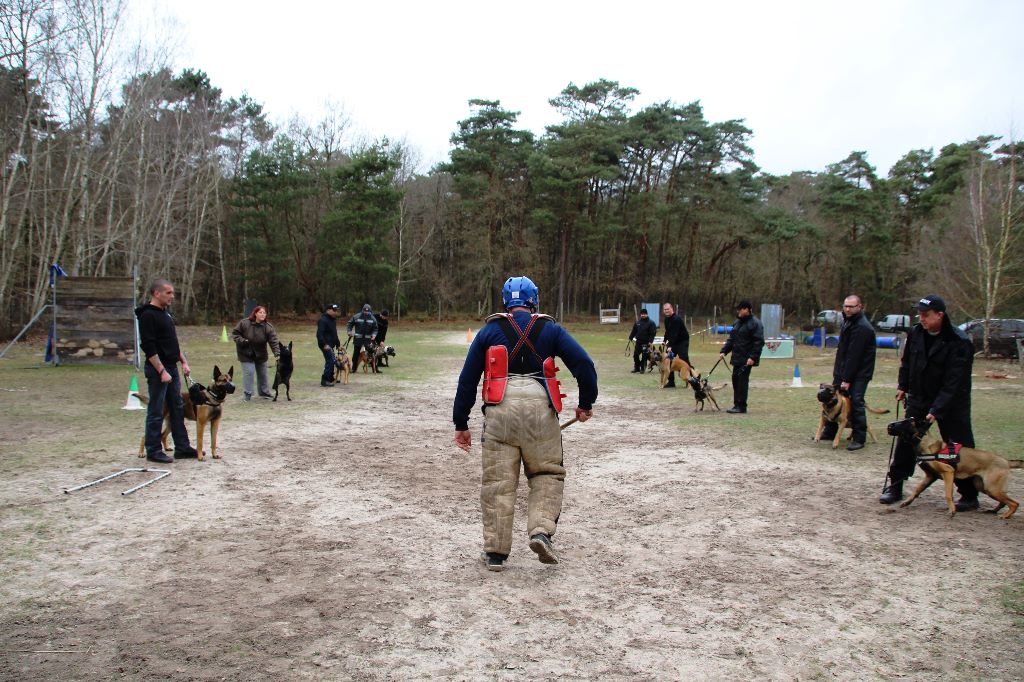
(935, 380)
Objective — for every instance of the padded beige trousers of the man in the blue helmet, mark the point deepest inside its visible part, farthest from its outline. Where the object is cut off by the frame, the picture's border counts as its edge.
(523, 428)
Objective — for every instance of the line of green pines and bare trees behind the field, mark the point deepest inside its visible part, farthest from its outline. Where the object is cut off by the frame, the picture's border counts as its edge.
(611, 204)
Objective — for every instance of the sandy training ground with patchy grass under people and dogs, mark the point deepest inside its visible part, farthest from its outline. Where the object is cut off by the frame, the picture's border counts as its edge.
(339, 536)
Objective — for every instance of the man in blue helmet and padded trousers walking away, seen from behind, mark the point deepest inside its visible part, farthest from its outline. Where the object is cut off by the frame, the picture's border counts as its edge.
(516, 354)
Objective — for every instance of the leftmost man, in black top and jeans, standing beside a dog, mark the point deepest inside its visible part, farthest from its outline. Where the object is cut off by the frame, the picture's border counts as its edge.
(159, 340)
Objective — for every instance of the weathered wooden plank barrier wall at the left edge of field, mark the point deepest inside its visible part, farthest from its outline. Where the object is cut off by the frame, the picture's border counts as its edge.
(96, 321)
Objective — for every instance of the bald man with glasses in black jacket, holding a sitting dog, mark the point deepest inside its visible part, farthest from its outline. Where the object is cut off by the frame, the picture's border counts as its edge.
(855, 369)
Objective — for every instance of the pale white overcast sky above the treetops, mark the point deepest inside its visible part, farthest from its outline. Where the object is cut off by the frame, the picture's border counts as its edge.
(815, 80)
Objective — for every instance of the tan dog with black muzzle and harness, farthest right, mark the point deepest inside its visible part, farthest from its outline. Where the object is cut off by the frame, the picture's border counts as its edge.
(990, 472)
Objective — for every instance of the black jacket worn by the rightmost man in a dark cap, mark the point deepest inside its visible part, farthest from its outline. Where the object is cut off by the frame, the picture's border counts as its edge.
(937, 376)
